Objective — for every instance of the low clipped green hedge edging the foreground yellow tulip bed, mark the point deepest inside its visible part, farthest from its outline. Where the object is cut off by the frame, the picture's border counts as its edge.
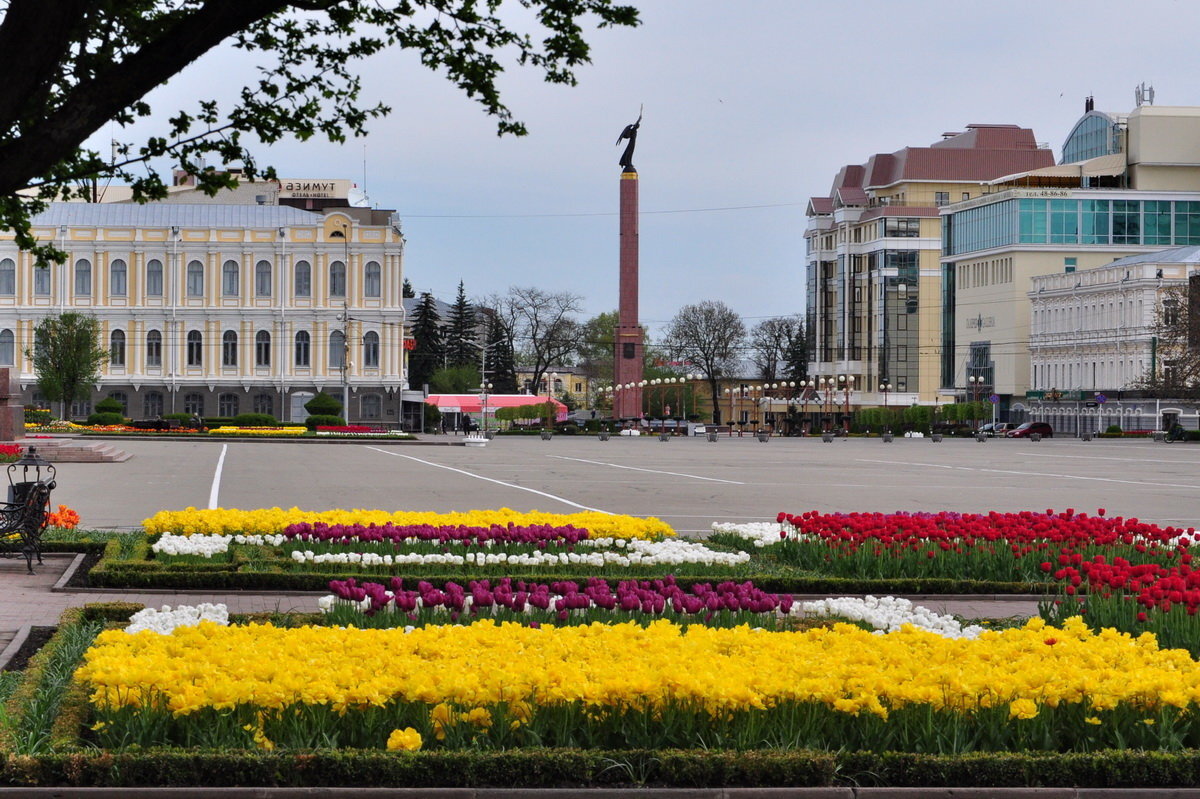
(76, 766)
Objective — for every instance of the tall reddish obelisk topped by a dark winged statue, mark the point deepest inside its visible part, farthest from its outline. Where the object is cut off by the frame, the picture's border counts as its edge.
(628, 362)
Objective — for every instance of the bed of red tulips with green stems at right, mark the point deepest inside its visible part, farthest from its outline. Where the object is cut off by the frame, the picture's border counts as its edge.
(1115, 573)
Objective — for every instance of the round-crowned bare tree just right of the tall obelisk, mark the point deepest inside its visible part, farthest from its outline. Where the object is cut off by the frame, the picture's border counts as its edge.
(707, 334)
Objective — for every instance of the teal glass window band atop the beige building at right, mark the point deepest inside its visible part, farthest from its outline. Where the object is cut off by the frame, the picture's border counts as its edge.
(1072, 223)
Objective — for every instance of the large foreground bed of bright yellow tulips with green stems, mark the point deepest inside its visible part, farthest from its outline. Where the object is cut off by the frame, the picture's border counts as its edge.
(502, 686)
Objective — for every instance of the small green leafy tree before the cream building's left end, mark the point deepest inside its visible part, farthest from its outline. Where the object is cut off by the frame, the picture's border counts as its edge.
(68, 357)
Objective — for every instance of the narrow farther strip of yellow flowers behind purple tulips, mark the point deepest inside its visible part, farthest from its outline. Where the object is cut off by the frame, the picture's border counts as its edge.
(269, 521)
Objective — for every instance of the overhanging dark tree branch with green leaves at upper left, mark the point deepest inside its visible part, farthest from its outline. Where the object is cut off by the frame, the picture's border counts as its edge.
(85, 65)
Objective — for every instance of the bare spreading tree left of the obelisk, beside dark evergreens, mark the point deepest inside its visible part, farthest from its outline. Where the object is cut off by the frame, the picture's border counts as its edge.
(541, 326)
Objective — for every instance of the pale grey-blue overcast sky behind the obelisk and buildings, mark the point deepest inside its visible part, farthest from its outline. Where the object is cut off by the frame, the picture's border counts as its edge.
(752, 106)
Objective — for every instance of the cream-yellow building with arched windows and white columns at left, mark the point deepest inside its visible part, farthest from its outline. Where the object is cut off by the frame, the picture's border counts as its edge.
(219, 310)
